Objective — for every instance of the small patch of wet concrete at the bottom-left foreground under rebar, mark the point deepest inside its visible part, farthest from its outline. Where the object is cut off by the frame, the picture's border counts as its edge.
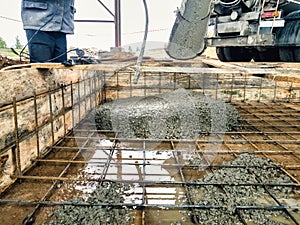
(82, 214)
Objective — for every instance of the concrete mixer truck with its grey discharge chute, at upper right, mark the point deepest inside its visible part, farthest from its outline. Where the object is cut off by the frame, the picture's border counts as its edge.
(240, 30)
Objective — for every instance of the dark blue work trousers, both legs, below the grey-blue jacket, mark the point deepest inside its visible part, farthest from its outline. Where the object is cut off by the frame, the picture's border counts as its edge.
(45, 46)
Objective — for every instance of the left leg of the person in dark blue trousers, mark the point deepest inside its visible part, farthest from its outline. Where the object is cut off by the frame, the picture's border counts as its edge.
(40, 45)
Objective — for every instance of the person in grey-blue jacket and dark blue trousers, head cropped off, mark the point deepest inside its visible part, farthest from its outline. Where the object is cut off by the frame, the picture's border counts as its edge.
(46, 23)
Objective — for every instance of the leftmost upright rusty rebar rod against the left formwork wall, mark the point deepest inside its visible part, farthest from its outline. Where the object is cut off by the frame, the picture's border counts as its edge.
(17, 140)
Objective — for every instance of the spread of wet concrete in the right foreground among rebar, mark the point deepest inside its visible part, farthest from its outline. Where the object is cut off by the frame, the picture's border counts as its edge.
(245, 169)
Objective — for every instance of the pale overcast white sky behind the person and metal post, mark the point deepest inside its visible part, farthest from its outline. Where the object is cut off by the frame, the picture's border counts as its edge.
(101, 35)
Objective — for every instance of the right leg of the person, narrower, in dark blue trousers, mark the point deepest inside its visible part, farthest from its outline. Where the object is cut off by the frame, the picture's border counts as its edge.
(60, 49)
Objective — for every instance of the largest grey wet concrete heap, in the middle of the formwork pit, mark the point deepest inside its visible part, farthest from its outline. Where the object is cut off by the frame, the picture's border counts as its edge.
(173, 115)
